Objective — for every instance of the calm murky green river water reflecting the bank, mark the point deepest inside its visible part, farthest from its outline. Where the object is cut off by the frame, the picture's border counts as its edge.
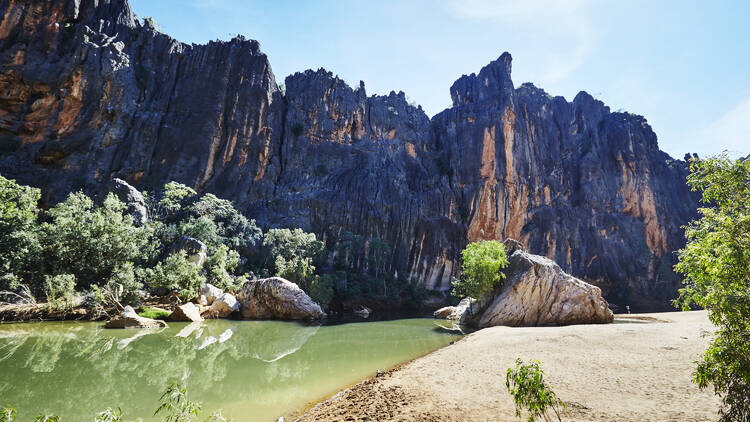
(250, 370)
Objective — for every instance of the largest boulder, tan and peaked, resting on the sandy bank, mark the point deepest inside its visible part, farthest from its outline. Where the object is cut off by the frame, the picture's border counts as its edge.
(538, 292)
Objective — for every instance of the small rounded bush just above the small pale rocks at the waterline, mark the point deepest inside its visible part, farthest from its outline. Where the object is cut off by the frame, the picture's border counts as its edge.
(176, 274)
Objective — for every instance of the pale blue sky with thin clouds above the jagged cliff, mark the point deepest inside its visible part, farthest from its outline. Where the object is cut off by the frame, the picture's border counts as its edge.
(684, 65)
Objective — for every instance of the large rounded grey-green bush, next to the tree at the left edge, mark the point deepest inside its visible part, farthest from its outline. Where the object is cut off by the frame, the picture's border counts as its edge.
(91, 242)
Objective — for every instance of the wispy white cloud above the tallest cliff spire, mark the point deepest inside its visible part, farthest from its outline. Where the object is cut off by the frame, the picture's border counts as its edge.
(568, 36)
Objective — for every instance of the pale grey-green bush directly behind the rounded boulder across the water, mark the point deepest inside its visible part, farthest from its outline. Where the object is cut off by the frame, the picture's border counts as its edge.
(294, 253)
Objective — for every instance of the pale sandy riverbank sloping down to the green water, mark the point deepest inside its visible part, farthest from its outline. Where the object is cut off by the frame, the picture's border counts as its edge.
(623, 371)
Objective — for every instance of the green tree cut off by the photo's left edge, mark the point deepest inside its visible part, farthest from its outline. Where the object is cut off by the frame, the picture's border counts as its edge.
(20, 248)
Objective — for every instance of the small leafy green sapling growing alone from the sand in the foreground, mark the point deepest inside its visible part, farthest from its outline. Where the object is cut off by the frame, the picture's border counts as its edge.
(530, 391)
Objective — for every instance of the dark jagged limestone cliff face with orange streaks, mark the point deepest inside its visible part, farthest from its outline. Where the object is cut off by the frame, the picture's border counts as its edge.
(89, 93)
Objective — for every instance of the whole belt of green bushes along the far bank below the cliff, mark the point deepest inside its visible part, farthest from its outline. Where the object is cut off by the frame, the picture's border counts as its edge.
(90, 257)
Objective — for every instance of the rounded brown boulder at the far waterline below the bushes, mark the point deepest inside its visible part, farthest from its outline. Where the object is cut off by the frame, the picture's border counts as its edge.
(276, 298)
